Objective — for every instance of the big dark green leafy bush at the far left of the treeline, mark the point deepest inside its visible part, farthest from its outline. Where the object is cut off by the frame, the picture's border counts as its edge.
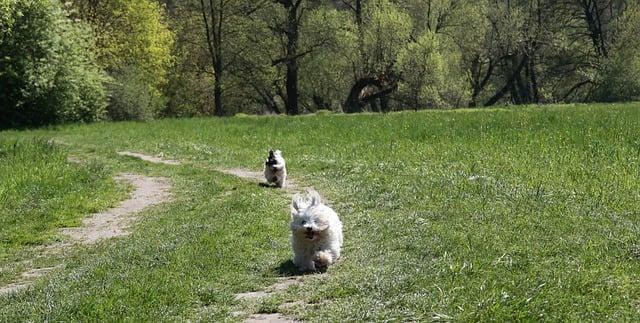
(48, 72)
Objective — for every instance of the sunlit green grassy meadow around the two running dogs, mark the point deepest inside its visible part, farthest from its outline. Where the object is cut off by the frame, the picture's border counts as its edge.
(520, 214)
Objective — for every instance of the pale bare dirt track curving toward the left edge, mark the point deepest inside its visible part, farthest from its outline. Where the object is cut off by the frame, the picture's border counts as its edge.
(111, 223)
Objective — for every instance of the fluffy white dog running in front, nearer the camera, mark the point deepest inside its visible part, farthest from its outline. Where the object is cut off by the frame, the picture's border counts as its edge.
(316, 233)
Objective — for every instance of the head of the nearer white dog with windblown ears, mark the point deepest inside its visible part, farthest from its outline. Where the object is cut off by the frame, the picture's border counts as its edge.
(307, 220)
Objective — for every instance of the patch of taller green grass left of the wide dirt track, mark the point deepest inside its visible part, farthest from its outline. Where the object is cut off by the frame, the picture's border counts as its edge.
(40, 192)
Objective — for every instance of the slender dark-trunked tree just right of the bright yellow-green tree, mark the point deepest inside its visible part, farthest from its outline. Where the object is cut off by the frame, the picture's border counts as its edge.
(217, 44)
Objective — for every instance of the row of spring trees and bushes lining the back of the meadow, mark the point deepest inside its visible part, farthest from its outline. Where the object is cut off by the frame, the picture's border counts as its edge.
(90, 60)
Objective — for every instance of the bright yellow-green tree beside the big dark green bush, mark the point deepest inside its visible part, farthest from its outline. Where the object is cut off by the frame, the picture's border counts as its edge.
(134, 45)
